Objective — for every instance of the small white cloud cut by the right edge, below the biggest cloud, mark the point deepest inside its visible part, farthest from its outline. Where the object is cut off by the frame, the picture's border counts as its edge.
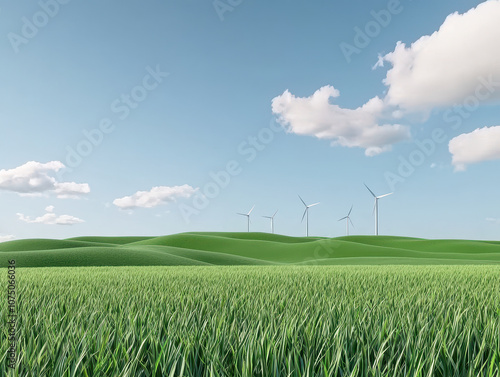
(482, 144)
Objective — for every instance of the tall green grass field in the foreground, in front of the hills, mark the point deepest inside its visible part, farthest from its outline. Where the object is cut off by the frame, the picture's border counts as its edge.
(258, 321)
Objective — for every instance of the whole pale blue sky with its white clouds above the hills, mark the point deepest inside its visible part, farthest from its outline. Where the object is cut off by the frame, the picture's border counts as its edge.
(206, 77)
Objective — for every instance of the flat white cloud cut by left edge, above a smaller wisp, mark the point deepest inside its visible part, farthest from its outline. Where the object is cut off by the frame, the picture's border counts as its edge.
(35, 178)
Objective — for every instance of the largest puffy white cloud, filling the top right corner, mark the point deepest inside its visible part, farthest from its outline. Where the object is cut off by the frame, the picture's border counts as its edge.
(460, 60)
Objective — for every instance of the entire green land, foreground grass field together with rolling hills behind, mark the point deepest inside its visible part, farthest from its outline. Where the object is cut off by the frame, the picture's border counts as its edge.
(253, 304)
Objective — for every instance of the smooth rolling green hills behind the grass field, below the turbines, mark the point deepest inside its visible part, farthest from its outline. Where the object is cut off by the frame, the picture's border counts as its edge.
(203, 248)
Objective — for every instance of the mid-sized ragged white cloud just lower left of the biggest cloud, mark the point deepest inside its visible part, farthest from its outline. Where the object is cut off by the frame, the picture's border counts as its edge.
(317, 116)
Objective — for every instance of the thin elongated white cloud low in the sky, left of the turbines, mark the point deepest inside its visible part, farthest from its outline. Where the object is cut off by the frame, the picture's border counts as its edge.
(156, 196)
